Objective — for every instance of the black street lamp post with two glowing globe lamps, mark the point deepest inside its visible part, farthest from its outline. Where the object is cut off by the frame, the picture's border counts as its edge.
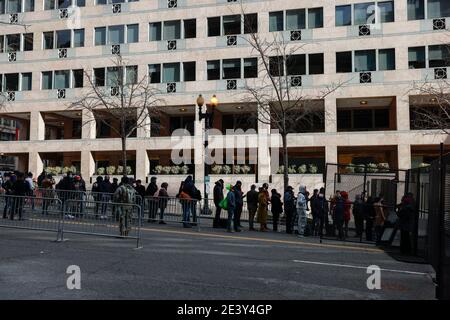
(208, 116)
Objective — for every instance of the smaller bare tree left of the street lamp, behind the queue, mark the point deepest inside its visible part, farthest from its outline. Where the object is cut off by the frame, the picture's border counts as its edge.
(127, 100)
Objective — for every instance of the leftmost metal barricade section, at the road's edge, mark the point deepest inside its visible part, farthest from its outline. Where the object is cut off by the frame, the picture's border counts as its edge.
(31, 212)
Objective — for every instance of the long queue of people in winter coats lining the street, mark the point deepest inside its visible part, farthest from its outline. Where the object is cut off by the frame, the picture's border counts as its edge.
(369, 214)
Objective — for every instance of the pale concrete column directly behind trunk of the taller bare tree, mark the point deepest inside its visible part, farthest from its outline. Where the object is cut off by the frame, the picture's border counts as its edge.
(264, 139)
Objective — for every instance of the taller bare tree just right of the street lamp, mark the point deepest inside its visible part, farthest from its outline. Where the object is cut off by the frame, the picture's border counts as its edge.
(281, 100)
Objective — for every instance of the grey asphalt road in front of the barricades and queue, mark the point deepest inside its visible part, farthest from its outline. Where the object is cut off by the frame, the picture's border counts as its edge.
(176, 263)
